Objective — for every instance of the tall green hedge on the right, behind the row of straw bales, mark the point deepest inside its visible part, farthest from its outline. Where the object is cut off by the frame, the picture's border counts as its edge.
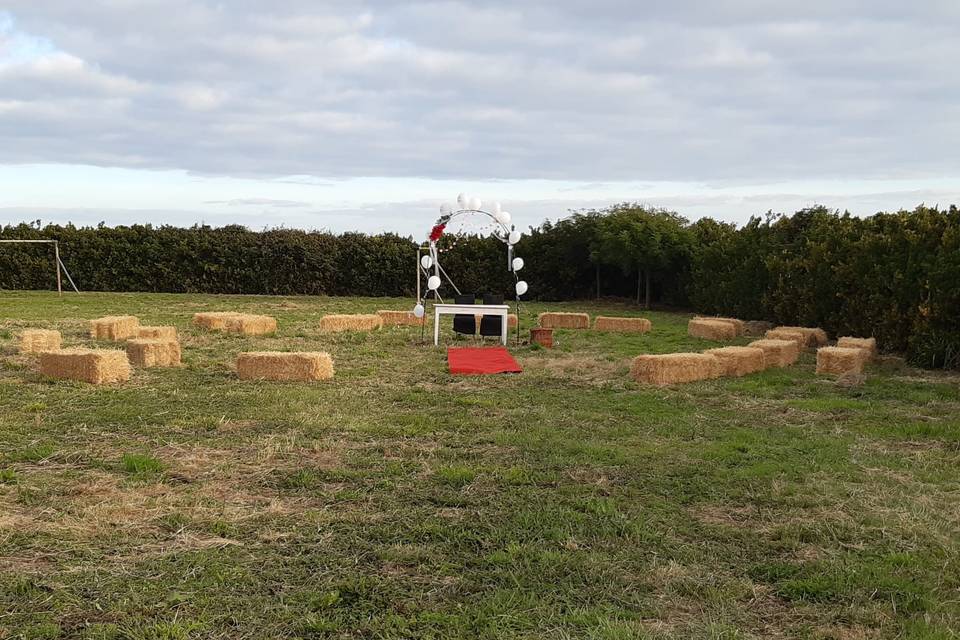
(895, 276)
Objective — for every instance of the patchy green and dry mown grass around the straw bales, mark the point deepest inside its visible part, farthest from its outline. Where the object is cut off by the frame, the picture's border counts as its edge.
(397, 501)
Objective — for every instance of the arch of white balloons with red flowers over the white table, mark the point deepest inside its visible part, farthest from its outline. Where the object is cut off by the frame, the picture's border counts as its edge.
(503, 230)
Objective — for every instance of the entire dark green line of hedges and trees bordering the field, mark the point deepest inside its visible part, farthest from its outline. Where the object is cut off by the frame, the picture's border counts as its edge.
(895, 276)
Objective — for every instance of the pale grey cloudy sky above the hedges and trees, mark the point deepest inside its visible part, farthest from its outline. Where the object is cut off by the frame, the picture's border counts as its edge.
(366, 115)
